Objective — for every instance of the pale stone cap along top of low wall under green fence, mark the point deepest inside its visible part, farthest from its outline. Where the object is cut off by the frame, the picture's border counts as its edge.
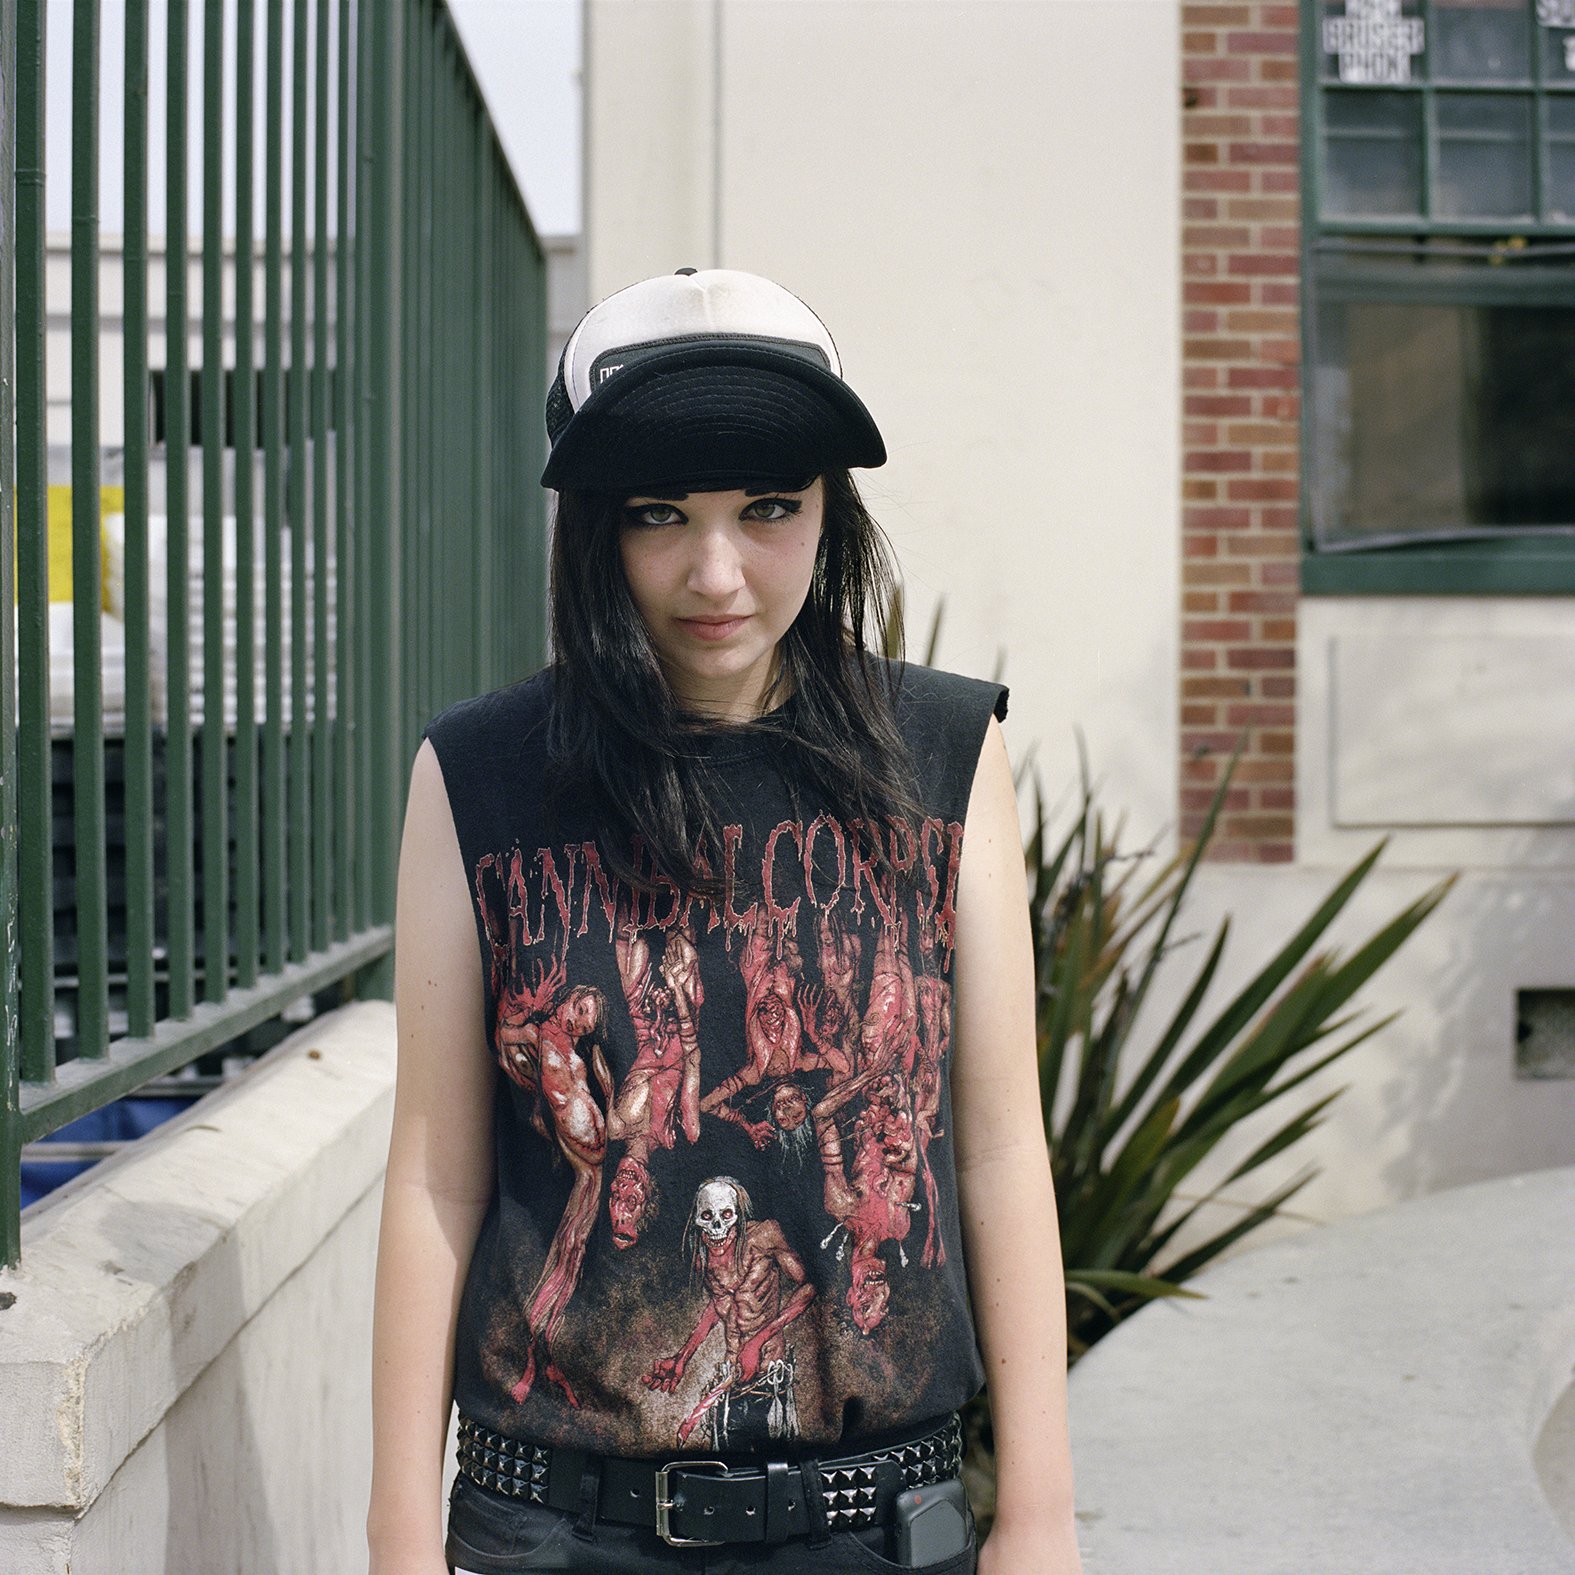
(136, 1278)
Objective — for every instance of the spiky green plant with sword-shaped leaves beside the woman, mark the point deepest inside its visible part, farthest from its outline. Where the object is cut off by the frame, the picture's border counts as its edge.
(1130, 1117)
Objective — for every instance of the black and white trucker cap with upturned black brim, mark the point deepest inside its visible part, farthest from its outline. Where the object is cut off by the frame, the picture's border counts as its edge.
(702, 382)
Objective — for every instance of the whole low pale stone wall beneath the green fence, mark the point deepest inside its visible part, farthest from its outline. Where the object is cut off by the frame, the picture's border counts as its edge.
(185, 1349)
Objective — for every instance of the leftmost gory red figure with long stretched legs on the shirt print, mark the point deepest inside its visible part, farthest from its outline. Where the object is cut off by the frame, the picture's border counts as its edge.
(546, 1032)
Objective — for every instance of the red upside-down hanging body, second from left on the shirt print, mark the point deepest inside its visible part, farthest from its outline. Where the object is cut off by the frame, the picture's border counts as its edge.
(661, 1092)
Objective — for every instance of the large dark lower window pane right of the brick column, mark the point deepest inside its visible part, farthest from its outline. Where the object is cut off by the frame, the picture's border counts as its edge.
(1436, 418)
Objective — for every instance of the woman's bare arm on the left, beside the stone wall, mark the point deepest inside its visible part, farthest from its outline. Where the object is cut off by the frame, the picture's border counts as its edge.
(439, 1182)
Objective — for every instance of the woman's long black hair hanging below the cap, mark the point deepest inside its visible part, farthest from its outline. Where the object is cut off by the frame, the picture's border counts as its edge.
(620, 739)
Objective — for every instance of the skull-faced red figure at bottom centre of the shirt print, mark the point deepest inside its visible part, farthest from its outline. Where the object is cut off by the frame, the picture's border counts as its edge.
(755, 1288)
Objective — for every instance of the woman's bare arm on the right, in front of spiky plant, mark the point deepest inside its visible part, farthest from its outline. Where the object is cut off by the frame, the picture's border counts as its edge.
(1004, 1179)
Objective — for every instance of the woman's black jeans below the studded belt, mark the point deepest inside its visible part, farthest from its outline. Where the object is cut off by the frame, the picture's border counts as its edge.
(491, 1535)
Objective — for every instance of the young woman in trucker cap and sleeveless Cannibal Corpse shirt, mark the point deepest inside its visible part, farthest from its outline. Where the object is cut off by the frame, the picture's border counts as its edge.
(717, 1179)
